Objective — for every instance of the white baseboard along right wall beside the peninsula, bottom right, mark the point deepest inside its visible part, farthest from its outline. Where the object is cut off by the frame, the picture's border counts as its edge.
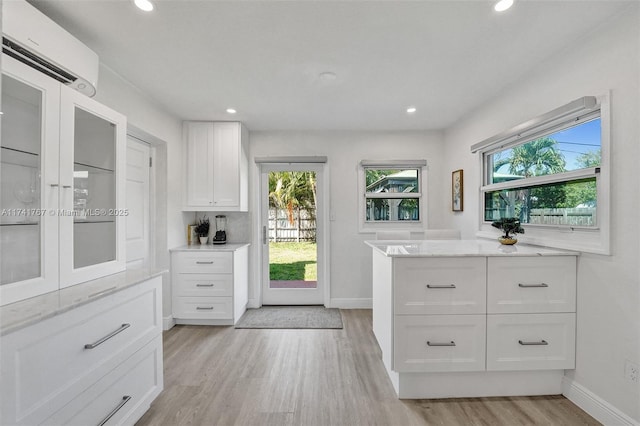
(595, 406)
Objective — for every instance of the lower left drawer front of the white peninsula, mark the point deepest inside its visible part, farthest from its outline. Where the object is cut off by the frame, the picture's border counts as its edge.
(437, 343)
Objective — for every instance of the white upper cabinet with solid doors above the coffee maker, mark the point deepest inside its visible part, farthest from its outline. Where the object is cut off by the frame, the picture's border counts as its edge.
(216, 166)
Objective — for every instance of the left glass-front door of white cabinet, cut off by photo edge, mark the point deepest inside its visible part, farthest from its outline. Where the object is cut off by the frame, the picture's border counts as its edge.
(28, 183)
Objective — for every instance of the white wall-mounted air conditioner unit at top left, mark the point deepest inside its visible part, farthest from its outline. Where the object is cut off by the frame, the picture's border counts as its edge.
(32, 38)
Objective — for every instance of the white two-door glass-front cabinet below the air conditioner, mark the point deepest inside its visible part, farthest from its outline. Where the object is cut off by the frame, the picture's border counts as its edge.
(62, 197)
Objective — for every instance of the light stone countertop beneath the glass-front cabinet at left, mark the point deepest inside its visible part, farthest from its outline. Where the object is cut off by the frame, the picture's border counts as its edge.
(30, 311)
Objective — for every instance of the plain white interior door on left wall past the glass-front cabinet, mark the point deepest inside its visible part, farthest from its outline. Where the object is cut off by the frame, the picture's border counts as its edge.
(138, 154)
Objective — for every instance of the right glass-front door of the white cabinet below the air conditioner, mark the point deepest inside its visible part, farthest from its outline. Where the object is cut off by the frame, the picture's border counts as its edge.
(92, 179)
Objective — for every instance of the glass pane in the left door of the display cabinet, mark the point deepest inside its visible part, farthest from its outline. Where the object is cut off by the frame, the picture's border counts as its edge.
(20, 192)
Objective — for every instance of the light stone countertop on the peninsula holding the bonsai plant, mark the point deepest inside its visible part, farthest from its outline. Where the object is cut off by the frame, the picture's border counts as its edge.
(462, 248)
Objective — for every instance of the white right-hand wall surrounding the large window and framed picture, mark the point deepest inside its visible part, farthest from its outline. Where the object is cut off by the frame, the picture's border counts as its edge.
(608, 286)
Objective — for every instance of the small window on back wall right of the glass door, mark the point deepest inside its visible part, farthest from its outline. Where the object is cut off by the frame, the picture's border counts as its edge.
(392, 193)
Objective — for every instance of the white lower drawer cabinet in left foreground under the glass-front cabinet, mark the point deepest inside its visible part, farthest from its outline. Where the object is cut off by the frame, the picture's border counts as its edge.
(64, 369)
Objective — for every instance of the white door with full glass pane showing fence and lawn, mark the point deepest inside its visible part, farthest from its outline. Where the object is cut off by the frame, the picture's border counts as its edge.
(292, 238)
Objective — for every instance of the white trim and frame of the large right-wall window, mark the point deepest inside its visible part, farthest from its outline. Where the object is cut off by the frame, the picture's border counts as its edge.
(584, 239)
